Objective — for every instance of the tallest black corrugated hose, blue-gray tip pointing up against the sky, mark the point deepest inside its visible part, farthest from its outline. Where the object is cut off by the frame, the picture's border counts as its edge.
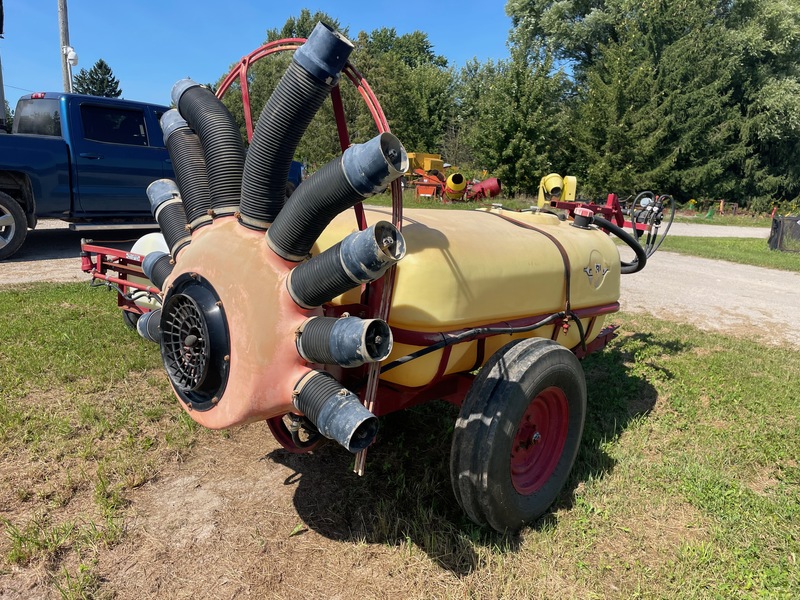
(311, 75)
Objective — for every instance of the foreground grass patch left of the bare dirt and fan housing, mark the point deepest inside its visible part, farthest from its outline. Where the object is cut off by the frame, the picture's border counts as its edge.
(86, 416)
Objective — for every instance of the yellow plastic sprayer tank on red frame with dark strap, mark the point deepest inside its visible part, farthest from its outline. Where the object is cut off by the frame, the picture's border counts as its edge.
(464, 269)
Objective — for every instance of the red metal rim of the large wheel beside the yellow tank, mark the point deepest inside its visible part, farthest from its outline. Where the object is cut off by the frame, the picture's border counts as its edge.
(539, 440)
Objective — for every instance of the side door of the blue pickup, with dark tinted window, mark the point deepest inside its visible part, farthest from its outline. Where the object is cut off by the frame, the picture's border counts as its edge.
(114, 160)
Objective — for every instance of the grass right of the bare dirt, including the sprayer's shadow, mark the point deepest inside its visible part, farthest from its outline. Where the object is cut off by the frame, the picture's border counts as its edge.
(686, 484)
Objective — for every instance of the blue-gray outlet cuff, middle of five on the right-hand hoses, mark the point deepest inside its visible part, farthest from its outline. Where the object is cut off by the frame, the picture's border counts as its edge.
(366, 255)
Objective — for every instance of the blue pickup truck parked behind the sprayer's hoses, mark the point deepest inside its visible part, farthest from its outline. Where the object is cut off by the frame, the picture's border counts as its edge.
(84, 159)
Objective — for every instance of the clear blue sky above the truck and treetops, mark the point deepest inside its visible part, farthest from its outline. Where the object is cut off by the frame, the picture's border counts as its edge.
(151, 44)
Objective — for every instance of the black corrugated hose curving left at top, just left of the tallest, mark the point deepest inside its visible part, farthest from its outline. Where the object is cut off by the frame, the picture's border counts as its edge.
(221, 140)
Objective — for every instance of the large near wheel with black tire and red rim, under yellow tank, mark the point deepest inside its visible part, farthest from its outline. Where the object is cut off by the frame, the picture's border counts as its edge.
(526, 380)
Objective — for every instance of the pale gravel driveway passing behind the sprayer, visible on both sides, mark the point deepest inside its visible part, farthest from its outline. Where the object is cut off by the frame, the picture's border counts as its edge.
(714, 295)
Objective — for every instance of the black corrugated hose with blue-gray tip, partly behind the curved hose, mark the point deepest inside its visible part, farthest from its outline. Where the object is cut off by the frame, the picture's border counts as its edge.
(189, 165)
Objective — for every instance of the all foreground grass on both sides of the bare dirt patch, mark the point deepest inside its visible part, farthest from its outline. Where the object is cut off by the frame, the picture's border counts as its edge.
(687, 483)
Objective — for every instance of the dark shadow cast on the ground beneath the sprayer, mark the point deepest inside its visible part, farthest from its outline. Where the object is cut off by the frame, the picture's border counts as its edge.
(405, 499)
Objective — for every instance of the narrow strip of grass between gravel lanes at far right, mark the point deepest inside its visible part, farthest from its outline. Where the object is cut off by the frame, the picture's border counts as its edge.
(745, 251)
